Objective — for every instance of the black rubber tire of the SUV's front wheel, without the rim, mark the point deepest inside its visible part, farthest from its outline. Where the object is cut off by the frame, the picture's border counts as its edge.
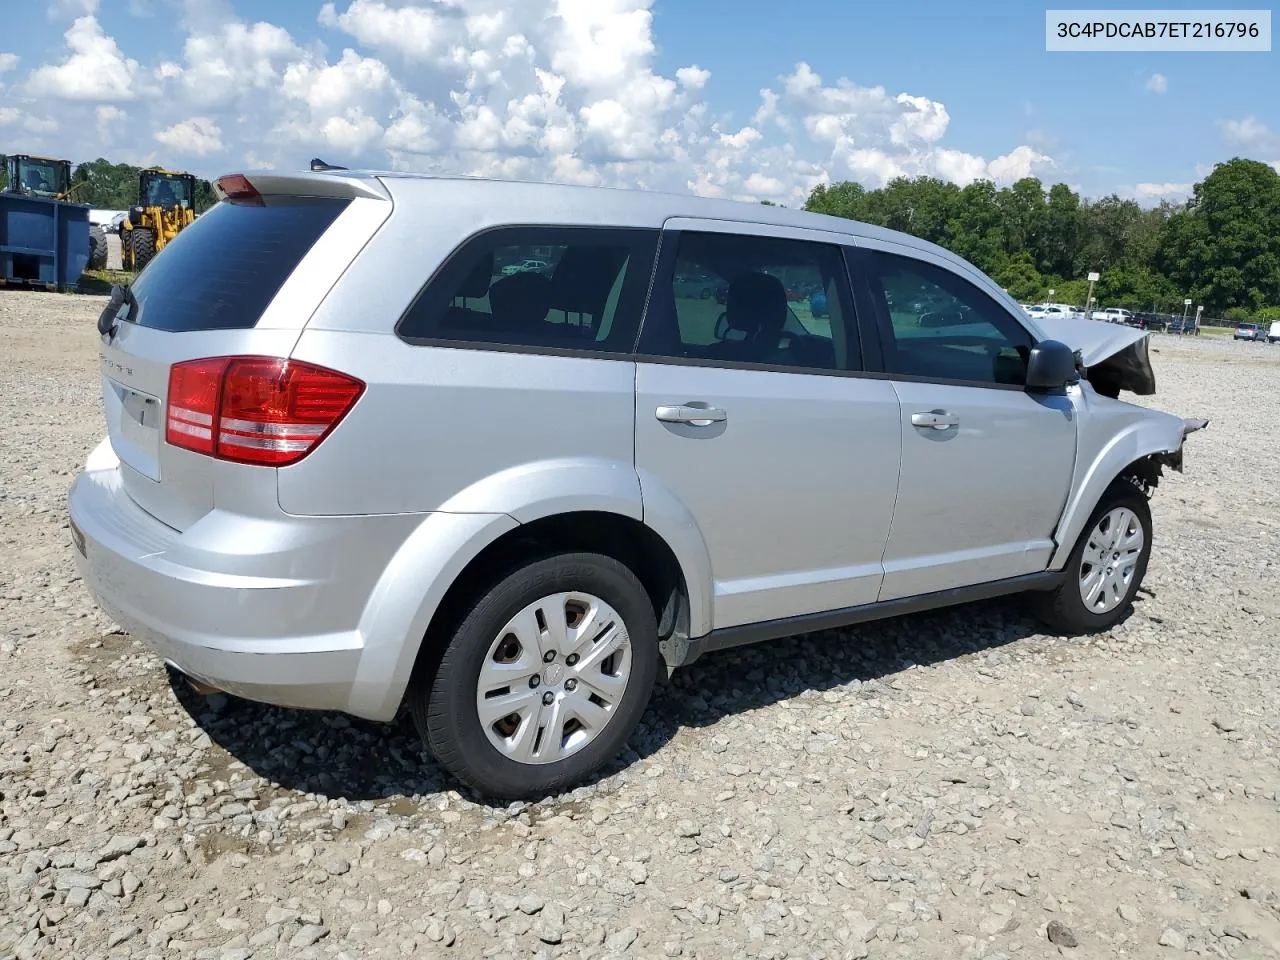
(1064, 610)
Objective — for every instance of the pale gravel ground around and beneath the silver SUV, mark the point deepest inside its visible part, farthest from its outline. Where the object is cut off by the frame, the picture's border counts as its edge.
(954, 785)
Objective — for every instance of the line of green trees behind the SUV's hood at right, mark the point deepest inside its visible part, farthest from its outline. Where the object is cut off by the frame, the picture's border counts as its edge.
(1222, 248)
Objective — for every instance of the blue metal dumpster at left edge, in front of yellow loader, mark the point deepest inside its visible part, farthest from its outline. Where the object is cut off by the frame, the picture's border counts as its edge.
(43, 243)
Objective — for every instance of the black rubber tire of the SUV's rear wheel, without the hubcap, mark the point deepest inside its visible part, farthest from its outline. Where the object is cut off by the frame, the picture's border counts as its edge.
(445, 706)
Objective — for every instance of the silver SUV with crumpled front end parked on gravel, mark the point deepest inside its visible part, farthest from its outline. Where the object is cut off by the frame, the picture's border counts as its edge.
(355, 463)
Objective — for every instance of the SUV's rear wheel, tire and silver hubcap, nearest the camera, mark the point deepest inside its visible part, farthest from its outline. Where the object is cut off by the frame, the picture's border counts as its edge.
(545, 679)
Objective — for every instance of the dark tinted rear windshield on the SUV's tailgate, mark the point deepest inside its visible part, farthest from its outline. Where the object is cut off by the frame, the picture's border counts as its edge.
(222, 272)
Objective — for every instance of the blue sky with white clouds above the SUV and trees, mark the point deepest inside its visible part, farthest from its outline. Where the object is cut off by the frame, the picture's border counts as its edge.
(743, 98)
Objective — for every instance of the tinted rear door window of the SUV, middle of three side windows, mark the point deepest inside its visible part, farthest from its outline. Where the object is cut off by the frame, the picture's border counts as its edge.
(753, 300)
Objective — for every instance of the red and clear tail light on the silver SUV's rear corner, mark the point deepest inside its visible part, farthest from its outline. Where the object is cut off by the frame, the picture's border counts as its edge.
(255, 410)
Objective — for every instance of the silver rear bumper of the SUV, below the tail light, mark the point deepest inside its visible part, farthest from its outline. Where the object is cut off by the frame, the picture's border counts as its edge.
(267, 610)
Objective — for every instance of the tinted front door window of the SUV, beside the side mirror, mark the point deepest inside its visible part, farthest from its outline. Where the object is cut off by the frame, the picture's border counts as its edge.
(943, 327)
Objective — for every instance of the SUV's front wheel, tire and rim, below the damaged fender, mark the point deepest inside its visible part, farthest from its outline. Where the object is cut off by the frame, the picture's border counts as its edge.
(1107, 568)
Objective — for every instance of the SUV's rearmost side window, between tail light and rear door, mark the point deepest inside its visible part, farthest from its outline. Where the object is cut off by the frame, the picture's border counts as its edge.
(575, 289)
